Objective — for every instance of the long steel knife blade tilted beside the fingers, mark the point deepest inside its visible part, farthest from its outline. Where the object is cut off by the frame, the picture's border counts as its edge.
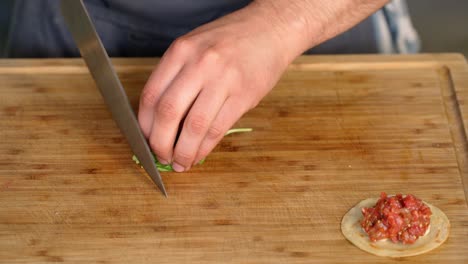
(92, 50)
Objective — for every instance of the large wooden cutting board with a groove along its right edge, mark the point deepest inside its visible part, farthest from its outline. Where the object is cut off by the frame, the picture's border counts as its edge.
(335, 130)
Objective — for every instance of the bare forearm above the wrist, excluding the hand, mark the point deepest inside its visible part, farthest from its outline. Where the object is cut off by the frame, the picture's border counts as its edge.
(302, 24)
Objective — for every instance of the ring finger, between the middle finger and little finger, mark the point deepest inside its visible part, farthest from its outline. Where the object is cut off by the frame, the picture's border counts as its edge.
(196, 125)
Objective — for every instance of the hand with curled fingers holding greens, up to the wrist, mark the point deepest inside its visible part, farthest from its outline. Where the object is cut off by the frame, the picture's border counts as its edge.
(204, 83)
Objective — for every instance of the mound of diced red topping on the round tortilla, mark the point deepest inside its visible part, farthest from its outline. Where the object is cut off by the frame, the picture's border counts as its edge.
(398, 218)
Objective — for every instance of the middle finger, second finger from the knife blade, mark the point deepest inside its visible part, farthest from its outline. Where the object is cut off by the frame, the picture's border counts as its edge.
(171, 109)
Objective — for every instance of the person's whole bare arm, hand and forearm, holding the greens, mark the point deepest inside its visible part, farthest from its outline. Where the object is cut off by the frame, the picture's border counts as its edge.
(210, 77)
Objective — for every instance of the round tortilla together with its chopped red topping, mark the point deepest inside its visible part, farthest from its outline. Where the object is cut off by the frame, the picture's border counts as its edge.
(396, 226)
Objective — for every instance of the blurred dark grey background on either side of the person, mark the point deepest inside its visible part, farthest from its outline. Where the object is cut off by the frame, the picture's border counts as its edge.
(442, 24)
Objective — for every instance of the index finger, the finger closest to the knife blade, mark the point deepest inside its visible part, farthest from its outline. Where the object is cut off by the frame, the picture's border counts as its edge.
(168, 68)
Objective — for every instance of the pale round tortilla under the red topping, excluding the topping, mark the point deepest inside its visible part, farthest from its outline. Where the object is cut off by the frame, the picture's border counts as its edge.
(352, 230)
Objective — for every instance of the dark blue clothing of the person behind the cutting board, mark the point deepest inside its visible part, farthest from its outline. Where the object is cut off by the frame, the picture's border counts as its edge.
(143, 28)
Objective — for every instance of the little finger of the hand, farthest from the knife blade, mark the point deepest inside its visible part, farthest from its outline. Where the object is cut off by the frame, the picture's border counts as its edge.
(230, 113)
